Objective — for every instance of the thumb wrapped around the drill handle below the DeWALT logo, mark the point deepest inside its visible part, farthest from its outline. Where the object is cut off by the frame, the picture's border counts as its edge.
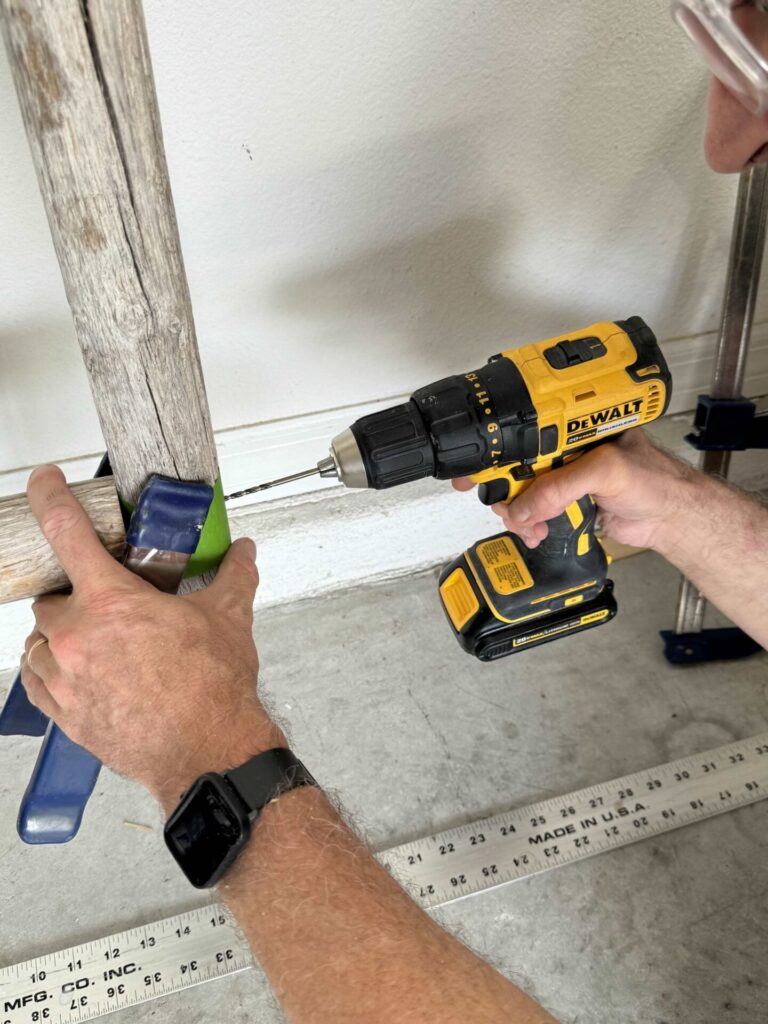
(595, 474)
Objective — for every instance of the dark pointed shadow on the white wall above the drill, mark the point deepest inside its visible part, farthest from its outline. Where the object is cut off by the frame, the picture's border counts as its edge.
(428, 295)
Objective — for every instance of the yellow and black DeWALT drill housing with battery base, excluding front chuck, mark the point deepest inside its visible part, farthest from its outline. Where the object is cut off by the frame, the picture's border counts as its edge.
(584, 388)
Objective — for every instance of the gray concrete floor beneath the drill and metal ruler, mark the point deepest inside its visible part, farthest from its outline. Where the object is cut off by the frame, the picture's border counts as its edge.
(415, 737)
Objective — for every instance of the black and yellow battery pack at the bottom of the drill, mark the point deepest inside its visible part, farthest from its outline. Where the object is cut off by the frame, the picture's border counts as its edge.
(501, 598)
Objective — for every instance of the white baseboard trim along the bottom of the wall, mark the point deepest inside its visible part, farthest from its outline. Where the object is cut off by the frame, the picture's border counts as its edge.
(314, 542)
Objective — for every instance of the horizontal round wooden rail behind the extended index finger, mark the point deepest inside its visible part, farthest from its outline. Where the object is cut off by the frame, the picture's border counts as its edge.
(28, 567)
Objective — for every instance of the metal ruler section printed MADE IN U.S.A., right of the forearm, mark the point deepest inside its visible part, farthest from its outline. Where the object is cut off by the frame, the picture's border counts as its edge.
(589, 822)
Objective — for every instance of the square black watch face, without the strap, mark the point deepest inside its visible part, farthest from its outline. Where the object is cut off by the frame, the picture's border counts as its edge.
(207, 831)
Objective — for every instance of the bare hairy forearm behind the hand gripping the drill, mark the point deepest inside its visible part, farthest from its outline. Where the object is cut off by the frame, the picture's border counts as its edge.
(719, 540)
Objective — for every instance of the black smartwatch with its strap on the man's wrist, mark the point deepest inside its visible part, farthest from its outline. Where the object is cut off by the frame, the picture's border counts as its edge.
(214, 821)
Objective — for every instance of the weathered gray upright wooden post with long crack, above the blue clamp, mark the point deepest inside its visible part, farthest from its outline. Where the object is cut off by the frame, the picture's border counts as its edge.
(84, 80)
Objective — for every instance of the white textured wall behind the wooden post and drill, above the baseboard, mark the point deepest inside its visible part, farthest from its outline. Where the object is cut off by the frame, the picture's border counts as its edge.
(374, 194)
